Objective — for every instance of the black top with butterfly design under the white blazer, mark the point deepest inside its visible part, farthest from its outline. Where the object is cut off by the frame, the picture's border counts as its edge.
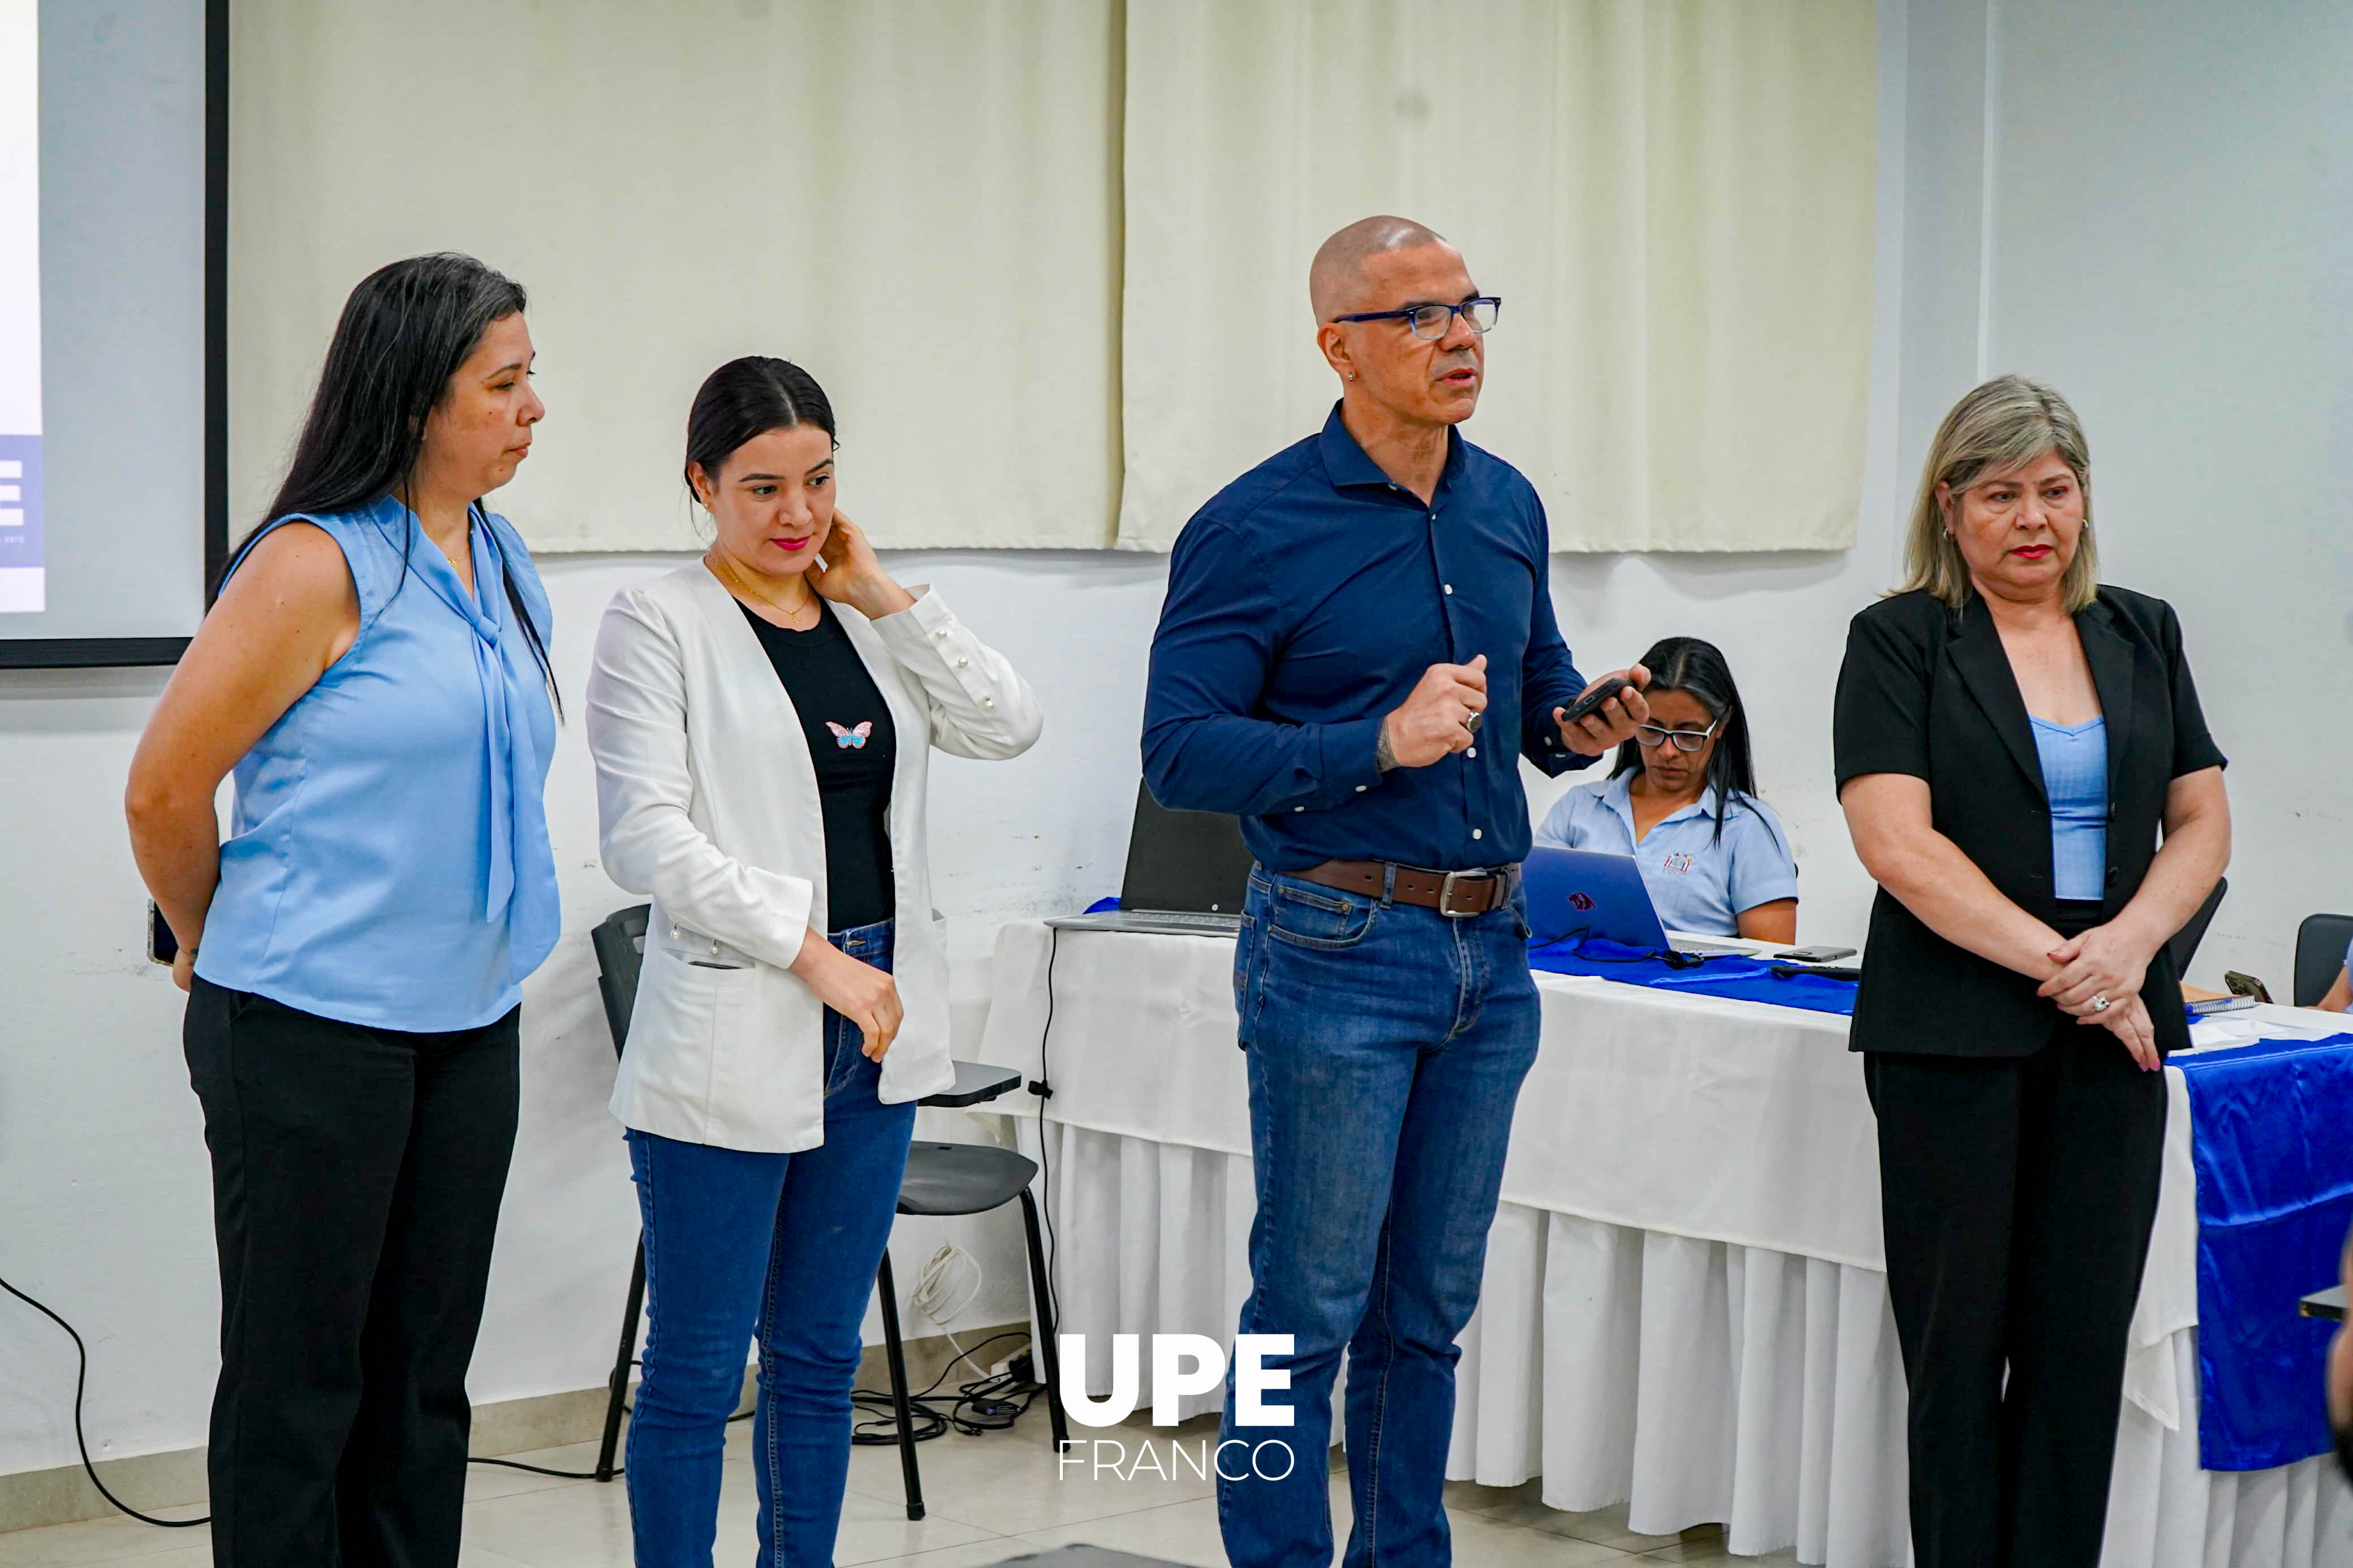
(855, 746)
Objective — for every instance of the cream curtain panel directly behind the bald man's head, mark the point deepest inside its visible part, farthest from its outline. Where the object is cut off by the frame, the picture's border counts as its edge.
(1672, 196)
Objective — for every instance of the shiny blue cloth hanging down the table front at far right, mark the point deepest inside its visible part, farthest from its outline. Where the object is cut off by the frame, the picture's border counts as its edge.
(2272, 1141)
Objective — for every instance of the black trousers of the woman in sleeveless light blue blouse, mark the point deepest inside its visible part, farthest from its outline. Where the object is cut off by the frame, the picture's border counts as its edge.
(356, 1181)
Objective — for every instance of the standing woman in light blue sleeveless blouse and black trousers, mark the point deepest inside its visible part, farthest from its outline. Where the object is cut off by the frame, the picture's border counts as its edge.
(375, 676)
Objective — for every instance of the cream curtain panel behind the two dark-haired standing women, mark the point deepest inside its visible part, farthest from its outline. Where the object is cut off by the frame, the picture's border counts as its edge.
(916, 201)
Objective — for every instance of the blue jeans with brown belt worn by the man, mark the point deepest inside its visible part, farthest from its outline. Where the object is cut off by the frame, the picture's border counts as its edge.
(1387, 1045)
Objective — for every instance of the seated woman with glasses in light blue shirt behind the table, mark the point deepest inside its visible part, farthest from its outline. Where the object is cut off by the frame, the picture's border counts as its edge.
(1681, 800)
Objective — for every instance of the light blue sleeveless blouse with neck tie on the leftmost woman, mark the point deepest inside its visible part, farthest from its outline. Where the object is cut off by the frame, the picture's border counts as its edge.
(389, 852)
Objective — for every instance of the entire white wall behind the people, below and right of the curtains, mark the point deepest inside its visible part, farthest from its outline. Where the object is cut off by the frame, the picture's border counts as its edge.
(2171, 272)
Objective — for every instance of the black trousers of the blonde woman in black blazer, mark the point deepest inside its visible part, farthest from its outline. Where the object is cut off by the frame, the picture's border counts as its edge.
(2018, 1198)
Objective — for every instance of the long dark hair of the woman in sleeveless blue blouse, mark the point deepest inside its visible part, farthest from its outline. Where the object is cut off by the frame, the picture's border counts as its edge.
(404, 333)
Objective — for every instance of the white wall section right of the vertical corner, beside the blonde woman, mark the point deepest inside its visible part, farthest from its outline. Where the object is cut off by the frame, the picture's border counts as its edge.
(2173, 248)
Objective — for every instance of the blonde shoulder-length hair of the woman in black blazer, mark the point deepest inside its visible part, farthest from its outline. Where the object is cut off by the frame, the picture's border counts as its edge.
(2001, 427)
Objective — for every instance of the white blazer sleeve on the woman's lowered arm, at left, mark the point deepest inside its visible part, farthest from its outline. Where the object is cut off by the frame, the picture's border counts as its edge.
(644, 793)
